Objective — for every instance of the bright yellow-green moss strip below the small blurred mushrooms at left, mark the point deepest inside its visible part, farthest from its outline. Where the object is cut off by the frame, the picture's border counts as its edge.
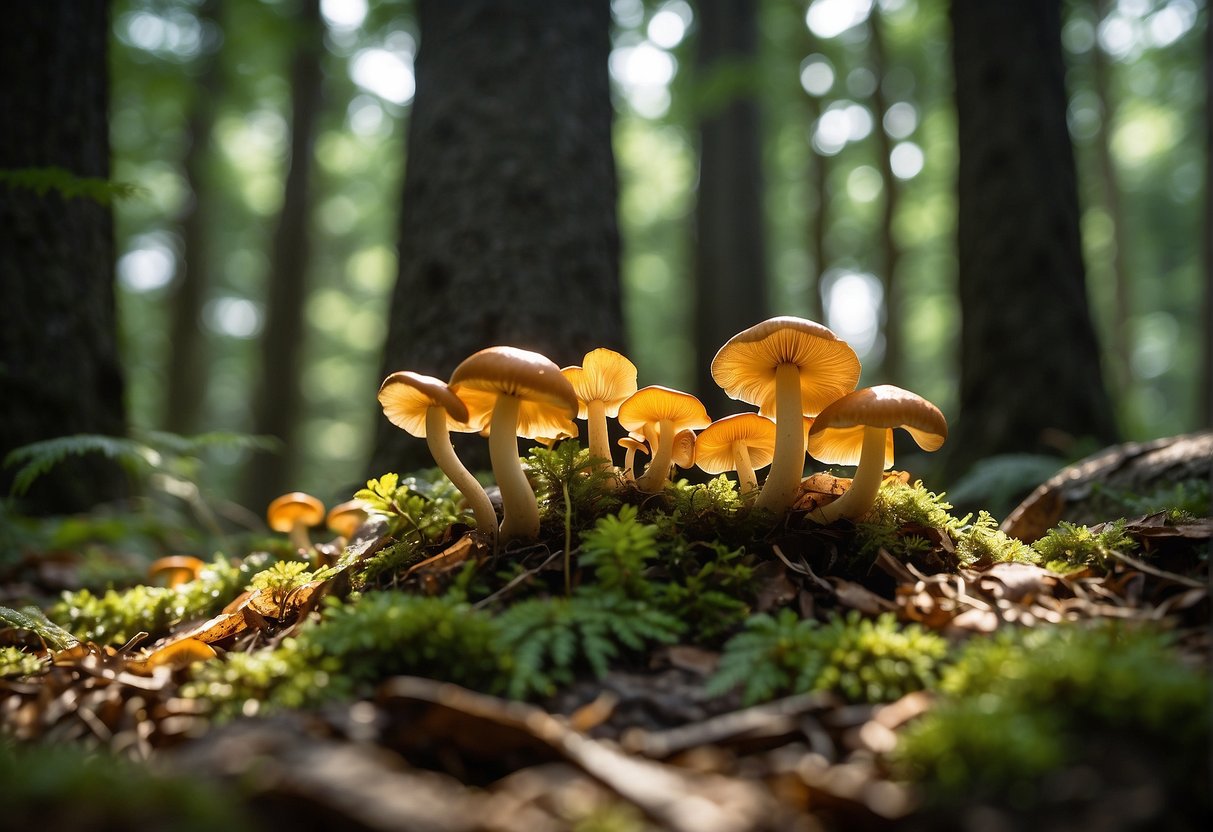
(115, 618)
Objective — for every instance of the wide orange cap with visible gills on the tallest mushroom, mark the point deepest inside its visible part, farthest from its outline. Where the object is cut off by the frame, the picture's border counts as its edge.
(745, 366)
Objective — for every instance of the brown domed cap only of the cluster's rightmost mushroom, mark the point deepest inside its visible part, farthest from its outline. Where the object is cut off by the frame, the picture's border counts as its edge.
(838, 434)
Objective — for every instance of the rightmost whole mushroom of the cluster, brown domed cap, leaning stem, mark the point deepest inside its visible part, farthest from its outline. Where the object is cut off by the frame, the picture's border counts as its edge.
(858, 429)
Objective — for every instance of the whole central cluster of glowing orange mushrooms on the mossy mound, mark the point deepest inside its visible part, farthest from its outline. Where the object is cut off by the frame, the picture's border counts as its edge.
(799, 374)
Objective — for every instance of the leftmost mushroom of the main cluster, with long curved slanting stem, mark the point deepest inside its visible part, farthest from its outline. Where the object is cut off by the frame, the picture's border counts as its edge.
(426, 408)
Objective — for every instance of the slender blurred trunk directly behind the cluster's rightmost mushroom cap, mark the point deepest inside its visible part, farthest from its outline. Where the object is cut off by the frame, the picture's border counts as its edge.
(893, 364)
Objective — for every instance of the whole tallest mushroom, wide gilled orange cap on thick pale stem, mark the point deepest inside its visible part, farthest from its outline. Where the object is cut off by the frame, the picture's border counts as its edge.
(795, 367)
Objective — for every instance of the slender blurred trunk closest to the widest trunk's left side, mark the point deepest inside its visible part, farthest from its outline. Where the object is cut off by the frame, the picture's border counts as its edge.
(278, 397)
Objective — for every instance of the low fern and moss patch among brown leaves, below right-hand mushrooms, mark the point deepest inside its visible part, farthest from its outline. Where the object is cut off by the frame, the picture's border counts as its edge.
(863, 660)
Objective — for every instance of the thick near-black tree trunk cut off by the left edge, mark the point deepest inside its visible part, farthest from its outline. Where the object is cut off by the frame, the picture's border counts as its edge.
(60, 372)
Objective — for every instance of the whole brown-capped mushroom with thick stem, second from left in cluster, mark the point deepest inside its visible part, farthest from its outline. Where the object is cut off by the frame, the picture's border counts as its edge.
(529, 398)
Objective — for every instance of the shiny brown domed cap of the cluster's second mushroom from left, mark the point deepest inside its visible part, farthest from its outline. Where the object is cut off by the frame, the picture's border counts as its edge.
(520, 373)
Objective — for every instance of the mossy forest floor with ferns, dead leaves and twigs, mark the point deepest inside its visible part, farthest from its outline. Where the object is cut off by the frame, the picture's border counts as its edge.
(669, 663)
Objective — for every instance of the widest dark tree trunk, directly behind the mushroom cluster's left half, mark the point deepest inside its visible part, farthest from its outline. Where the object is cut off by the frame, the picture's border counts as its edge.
(509, 232)
